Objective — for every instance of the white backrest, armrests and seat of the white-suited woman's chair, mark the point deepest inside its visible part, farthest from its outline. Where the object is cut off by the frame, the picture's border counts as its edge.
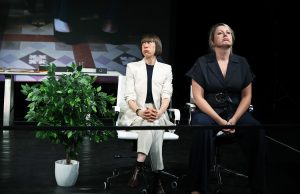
(120, 108)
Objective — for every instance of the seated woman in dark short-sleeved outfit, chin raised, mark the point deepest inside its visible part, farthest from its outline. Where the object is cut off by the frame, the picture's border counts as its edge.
(222, 90)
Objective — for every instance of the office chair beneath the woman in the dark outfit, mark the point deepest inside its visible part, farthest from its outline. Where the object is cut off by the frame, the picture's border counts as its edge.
(220, 139)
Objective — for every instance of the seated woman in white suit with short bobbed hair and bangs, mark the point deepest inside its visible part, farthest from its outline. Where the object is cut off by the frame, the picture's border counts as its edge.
(148, 92)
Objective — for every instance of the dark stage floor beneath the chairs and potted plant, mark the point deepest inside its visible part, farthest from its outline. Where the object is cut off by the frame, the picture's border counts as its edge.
(27, 166)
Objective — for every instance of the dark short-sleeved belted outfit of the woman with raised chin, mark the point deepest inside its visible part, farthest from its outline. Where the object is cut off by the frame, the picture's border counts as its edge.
(207, 74)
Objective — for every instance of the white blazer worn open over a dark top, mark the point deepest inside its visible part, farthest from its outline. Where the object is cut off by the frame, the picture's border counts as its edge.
(136, 88)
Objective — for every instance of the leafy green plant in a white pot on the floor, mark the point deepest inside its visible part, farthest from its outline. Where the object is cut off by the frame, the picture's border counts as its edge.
(69, 100)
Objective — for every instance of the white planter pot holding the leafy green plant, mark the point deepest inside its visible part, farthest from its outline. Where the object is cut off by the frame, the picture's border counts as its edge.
(66, 174)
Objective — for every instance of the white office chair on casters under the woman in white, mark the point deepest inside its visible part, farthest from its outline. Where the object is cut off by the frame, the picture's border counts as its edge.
(132, 136)
